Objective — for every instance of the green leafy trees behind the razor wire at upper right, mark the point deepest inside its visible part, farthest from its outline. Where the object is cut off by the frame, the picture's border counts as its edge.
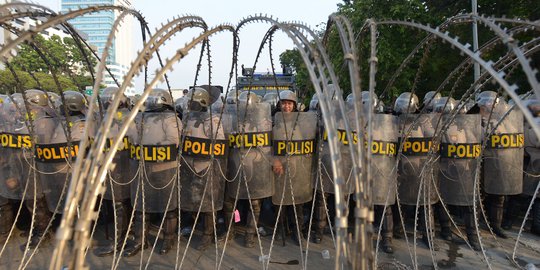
(432, 65)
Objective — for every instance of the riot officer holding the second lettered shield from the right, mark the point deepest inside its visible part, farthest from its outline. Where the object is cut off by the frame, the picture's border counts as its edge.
(460, 151)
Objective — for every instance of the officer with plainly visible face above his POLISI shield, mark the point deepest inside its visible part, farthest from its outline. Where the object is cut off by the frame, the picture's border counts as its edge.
(294, 136)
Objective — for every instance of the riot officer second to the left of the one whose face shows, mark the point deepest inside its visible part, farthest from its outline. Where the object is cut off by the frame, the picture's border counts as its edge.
(204, 159)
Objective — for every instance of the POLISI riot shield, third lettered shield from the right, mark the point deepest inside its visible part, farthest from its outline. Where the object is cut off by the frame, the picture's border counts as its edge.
(418, 165)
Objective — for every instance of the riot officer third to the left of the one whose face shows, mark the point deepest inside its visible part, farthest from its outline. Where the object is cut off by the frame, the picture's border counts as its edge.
(155, 150)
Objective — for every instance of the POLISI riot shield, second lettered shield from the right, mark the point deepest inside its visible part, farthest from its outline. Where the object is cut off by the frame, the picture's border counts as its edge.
(461, 145)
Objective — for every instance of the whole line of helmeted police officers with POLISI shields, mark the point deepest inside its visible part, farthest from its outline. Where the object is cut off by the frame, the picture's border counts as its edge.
(209, 157)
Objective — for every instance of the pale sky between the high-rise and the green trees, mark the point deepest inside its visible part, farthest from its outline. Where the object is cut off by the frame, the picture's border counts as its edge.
(313, 13)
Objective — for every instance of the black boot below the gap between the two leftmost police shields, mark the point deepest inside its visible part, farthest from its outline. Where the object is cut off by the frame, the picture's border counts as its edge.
(42, 217)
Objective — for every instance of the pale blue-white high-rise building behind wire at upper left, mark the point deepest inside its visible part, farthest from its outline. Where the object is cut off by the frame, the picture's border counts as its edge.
(98, 26)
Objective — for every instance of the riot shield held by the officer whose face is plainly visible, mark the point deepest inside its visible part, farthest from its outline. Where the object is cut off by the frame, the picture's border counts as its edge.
(294, 144)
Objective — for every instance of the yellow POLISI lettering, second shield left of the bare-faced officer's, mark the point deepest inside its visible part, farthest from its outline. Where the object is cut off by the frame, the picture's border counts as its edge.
(204, 148)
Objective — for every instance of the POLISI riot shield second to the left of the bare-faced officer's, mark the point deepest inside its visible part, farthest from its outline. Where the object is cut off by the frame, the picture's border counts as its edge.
(204, 163)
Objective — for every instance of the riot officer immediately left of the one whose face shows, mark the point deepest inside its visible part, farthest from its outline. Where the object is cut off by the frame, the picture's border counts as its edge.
(249, 128)
